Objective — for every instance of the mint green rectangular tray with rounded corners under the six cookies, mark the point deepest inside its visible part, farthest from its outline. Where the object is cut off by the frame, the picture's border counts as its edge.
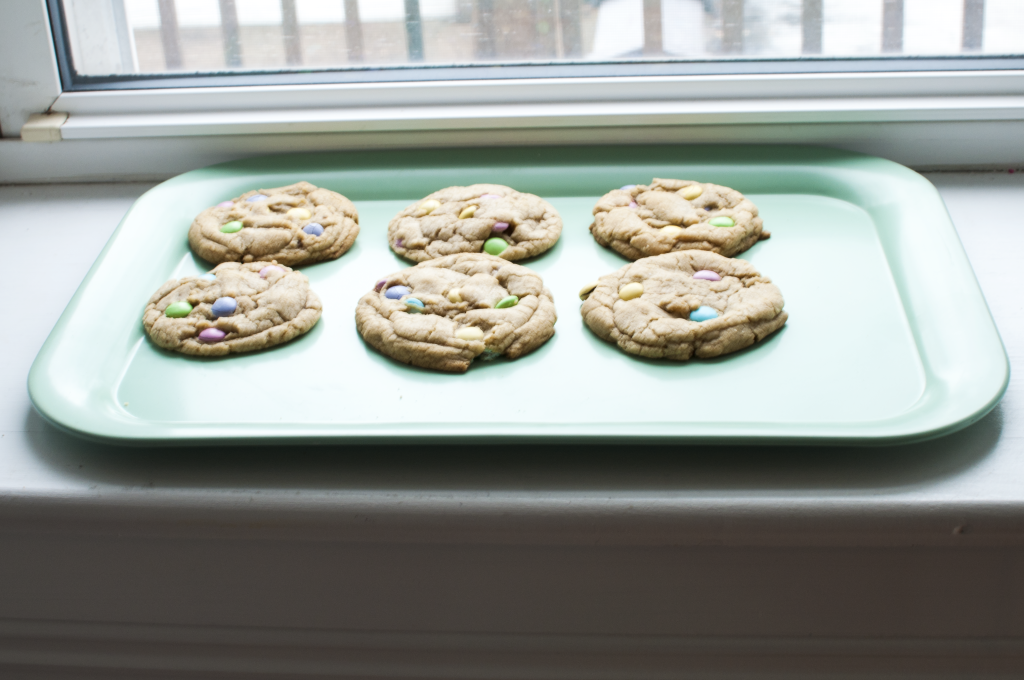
(889, 337)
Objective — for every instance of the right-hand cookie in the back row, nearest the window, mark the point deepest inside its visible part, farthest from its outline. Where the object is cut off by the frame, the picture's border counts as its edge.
(675, 215)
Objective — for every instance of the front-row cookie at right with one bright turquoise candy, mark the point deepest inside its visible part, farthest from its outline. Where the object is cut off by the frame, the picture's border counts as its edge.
(684, 305)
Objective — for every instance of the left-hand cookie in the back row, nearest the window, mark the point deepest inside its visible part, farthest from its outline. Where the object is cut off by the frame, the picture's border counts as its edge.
(295, 226)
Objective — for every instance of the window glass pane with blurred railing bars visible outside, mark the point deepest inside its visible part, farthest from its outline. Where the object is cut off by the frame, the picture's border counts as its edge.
(156, 37)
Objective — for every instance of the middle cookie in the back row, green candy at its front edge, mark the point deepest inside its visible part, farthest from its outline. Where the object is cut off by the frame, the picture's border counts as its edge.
(488, 219)
